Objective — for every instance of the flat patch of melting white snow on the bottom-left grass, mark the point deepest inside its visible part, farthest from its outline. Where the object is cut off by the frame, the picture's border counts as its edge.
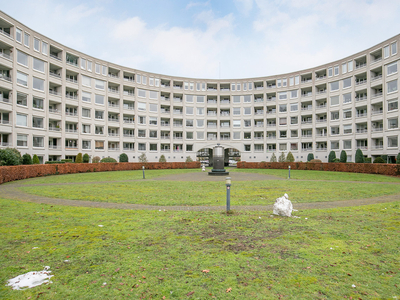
(30, 279)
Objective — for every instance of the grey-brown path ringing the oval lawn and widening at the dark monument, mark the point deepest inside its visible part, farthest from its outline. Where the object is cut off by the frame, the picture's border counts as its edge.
(11, 191)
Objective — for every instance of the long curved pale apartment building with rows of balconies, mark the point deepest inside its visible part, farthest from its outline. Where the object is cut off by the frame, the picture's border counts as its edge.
(56, 102)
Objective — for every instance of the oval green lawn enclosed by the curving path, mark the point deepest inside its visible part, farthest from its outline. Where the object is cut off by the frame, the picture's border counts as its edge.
(213, 193)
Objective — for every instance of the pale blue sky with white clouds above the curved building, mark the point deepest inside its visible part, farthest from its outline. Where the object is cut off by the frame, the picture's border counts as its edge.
(213, 39)
